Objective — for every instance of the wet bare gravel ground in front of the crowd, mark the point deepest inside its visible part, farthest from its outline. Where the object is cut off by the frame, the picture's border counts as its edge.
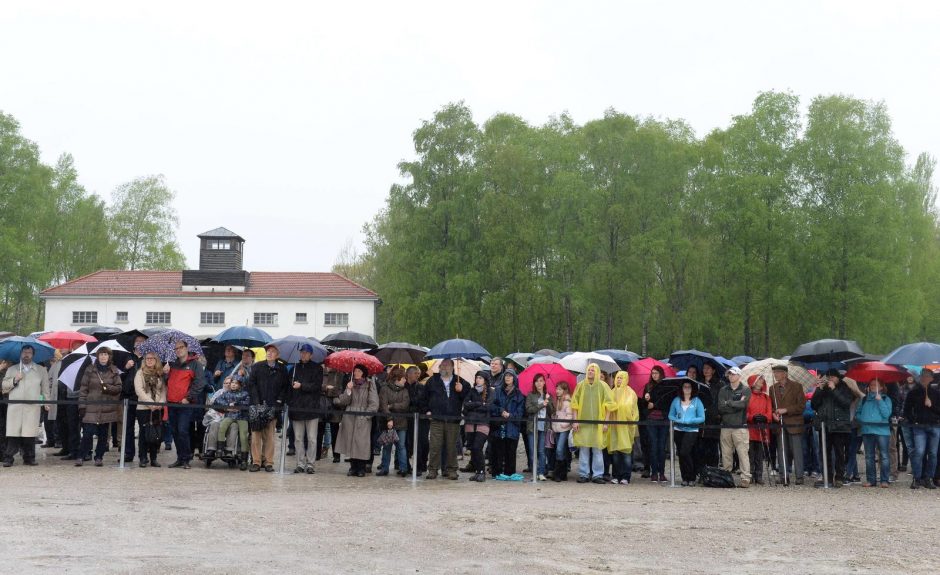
(55, 517)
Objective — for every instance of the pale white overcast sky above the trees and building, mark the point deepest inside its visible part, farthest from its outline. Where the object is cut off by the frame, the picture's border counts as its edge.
(284, 121)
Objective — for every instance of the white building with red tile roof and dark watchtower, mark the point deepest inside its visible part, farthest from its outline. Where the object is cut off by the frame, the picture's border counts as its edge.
(218, 295)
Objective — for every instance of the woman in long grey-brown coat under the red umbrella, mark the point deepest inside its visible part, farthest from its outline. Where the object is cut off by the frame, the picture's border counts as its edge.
(354, 439)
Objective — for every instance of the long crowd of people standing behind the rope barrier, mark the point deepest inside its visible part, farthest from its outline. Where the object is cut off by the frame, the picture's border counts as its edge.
(751, 427)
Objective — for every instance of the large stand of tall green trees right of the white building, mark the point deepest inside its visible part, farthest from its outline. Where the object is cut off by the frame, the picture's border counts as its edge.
(630, 232)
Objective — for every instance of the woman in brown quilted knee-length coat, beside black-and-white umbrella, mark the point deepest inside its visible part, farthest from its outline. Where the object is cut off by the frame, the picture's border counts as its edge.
(101, 384)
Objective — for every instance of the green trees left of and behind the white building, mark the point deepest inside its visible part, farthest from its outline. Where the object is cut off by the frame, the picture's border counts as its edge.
(52, 230)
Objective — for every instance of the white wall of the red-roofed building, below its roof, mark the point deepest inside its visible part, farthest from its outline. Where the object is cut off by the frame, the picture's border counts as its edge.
(238, 311)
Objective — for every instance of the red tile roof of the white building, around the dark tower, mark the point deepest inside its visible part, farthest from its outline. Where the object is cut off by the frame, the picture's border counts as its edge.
(308, 285)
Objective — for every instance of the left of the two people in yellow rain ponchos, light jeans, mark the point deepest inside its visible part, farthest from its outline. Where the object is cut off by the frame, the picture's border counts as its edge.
(592, 399)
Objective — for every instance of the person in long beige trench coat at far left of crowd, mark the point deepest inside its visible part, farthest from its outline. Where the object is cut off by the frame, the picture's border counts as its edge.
(26, 380)
